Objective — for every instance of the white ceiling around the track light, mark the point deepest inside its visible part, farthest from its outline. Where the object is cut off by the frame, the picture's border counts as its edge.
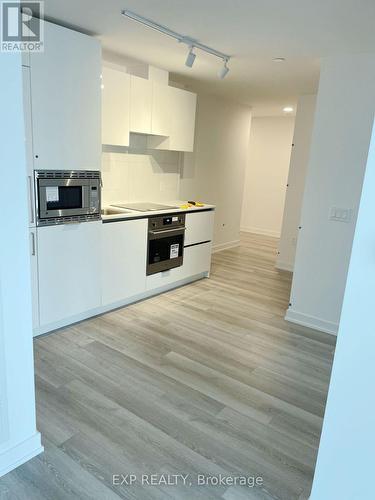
(252, 31)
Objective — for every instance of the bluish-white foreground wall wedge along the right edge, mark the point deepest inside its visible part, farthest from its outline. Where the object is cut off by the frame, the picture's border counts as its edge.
(345, 465)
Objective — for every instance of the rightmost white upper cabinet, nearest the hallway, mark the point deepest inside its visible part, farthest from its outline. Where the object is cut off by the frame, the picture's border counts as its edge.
(173, 116)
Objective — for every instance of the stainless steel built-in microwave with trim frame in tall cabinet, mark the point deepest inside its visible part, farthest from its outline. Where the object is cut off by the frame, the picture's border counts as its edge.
(65, 196)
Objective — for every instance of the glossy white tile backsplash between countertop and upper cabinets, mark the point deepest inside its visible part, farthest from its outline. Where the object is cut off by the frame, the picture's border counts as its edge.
(140, 174)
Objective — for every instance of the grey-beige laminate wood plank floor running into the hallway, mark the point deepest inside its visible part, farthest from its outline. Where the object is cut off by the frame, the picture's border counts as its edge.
(206, 379)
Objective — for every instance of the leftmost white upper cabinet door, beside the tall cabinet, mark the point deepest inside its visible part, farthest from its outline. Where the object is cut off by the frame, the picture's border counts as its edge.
(115, 107)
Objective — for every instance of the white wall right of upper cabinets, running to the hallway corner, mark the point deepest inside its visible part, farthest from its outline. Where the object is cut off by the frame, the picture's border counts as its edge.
(215, 172)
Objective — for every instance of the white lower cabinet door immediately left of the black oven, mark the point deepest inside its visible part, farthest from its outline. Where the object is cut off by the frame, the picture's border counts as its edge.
(124, 251)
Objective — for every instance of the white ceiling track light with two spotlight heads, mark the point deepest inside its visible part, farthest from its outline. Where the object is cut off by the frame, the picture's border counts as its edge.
(192, 44)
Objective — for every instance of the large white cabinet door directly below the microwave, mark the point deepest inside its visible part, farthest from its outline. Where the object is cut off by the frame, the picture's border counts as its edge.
(69, 270)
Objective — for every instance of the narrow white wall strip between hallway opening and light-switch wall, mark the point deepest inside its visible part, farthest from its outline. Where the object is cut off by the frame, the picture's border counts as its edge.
(296, 182)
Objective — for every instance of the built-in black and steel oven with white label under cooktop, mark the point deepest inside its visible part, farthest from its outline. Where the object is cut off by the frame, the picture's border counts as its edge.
(166, 234)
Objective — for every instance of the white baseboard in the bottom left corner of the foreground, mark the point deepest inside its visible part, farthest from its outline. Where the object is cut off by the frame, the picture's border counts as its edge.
(20, 454)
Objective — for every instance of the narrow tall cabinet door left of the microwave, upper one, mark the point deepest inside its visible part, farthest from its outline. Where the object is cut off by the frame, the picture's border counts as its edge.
(28, 143)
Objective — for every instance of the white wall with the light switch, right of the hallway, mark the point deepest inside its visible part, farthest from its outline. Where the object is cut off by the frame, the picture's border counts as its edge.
(341, 135)
